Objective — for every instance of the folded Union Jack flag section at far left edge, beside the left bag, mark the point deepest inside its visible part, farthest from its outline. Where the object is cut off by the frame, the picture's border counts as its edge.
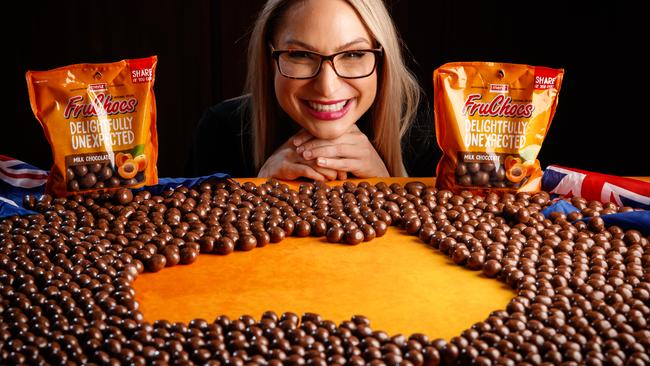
(18, 179)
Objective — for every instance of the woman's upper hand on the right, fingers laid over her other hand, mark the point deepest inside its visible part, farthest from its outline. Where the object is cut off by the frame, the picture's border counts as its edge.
(352, 153)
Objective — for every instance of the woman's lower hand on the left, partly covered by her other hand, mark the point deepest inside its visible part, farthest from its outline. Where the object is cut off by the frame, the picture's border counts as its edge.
(286, 163)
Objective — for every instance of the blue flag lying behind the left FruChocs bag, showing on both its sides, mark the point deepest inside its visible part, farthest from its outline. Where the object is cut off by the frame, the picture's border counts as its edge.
(19, 179)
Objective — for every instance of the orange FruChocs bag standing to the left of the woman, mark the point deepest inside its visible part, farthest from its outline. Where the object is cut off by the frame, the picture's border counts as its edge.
(100, 120)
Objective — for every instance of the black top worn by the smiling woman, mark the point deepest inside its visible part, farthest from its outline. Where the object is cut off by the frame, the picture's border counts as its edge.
(222, 141)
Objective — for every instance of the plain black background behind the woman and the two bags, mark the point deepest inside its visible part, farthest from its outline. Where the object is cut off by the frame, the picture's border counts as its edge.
(201, 48)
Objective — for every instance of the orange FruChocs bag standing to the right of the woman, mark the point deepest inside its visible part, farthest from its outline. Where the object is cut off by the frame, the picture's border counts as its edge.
(491, 119)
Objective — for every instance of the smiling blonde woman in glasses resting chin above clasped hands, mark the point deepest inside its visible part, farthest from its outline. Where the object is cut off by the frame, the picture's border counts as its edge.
(329, 98)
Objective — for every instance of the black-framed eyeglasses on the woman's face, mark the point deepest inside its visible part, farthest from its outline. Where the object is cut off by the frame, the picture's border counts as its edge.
(350, 64)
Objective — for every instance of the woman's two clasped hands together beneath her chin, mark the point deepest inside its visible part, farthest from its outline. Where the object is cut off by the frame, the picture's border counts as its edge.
(304, 155)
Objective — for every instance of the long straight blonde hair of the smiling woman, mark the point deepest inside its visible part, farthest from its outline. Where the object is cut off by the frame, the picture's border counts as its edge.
(389, 119)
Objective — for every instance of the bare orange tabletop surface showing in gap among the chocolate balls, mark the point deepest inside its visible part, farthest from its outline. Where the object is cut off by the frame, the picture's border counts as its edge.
(400, 284)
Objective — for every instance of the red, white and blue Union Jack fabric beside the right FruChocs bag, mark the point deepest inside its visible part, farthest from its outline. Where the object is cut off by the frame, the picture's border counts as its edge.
(571, 182)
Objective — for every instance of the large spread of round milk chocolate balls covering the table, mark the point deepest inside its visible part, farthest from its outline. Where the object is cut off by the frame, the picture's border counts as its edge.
(582, 290)
